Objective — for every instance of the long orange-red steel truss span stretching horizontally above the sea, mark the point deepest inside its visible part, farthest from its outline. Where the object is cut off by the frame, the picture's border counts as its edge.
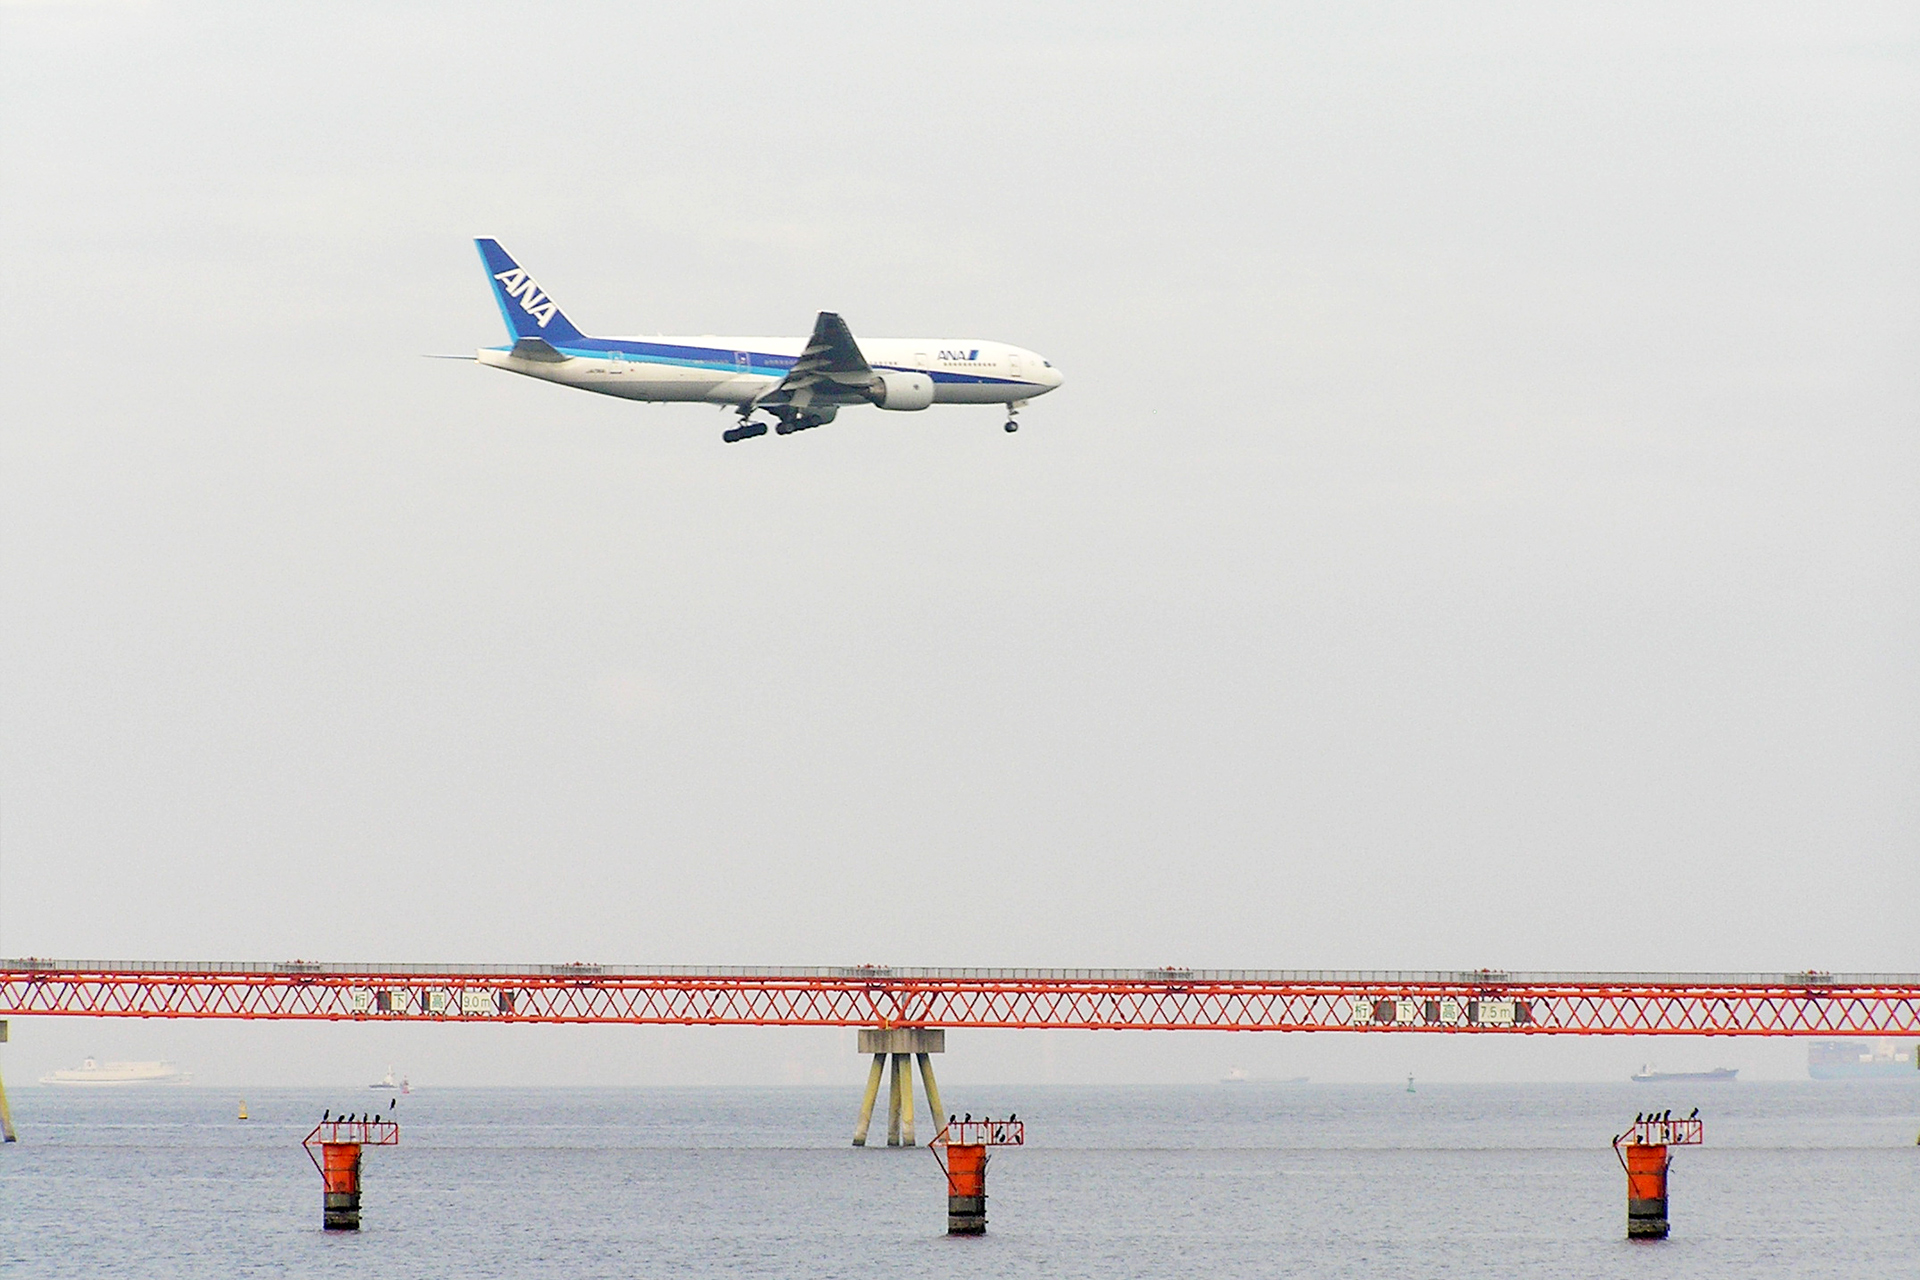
(1454, 1003)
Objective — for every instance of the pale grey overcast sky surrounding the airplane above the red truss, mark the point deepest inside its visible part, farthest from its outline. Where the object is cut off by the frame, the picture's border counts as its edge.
(1477, 529)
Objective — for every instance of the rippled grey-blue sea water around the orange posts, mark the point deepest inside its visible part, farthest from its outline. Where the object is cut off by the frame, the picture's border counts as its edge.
(1180, 1181)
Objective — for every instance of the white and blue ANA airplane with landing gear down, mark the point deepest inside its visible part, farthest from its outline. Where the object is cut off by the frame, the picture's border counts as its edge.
(798, 383)
